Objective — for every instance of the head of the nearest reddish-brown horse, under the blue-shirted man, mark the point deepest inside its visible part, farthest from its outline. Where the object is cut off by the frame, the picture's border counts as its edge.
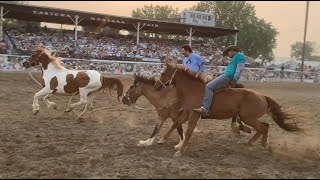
(167, 76)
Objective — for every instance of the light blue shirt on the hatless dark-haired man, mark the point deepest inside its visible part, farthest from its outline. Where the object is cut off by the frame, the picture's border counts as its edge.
(194, 63)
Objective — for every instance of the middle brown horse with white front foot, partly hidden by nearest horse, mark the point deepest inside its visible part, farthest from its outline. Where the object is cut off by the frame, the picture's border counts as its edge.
(167, 105)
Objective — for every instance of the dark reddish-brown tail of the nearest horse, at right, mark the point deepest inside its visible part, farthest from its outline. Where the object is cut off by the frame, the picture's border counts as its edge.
(280, 116)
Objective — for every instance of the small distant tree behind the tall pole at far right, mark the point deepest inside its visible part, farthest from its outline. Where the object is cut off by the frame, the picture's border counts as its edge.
(296, 50)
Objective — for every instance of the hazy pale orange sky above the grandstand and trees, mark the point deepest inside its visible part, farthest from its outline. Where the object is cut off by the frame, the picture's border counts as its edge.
(288, 17)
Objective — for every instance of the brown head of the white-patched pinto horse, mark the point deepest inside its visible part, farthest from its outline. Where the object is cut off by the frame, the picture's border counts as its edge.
(40, 57)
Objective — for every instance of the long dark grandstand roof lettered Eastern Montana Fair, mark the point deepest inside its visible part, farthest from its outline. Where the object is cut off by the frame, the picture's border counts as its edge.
(65, 16)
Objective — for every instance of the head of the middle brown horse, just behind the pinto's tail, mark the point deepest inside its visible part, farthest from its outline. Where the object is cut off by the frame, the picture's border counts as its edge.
(133, 93)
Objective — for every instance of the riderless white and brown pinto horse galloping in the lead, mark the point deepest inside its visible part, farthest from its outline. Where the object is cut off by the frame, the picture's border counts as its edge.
(59, 80)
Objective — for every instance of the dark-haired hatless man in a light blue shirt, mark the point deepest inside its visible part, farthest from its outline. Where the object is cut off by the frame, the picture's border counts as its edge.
(192, 61)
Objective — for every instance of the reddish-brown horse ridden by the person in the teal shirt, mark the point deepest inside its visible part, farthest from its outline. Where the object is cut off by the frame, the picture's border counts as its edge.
(227, 103)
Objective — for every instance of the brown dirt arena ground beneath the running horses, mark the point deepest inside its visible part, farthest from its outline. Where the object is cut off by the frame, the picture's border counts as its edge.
(52, 144)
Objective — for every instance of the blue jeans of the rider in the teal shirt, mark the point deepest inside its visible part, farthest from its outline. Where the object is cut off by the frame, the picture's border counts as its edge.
(211, 87)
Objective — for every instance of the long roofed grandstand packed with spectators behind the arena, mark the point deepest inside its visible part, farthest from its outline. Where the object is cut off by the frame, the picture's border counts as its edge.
(94, 49)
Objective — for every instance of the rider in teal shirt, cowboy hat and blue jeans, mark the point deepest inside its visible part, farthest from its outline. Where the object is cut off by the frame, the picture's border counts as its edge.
(232, 72)
